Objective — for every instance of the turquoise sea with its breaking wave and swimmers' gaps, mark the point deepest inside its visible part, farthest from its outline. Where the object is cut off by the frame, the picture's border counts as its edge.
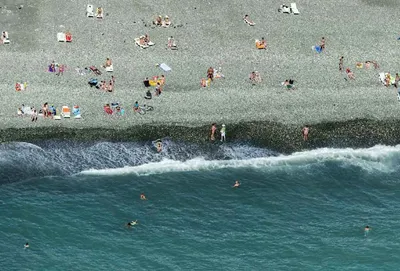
(304, 211)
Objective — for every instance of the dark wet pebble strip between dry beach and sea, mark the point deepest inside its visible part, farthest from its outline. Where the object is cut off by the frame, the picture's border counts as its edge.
(359, 133)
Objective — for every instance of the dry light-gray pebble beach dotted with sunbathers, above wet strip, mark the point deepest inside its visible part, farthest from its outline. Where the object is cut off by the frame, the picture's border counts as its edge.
(208, 33)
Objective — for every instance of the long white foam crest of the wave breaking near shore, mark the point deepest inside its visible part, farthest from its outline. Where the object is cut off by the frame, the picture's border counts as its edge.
(381, 158)
